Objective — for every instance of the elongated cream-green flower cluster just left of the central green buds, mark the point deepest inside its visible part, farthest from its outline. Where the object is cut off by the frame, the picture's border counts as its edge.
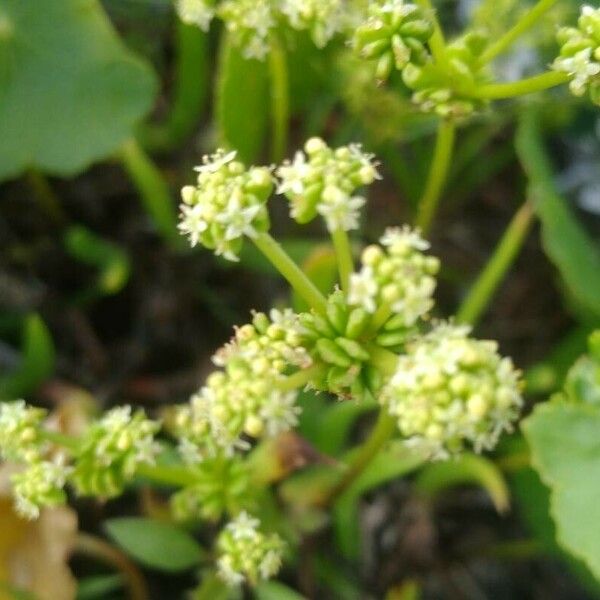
(244, 399)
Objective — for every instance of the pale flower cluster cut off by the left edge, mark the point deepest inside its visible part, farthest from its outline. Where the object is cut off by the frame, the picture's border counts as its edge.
(19, 431)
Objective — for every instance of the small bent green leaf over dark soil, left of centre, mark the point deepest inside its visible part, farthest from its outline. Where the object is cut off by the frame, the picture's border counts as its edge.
(111, 261)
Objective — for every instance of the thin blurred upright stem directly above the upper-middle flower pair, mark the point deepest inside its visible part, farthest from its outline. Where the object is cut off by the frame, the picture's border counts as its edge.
(280, 102)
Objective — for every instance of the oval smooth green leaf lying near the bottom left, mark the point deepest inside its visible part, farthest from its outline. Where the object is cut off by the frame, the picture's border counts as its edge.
(155, 544)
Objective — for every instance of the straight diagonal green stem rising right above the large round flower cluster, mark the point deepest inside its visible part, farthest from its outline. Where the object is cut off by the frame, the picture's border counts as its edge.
(492, 275)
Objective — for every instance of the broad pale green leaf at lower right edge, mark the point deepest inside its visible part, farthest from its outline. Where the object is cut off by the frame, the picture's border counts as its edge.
(565, 450)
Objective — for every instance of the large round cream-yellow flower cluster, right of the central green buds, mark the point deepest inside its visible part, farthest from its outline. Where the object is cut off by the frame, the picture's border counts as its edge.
(449, 389)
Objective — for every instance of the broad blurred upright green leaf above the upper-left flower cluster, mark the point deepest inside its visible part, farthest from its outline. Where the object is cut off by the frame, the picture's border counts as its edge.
(242, 102)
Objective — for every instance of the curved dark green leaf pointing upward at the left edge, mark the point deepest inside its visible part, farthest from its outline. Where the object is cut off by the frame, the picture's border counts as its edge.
(37, 363)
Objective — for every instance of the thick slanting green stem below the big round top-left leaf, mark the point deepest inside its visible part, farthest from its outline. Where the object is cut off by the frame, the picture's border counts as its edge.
(152, 188)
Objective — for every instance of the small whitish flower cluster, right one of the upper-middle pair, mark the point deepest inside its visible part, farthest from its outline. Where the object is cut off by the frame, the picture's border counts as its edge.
(324, 180)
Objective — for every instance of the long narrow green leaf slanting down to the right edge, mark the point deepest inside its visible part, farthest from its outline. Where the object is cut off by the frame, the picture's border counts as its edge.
(565, 241)
